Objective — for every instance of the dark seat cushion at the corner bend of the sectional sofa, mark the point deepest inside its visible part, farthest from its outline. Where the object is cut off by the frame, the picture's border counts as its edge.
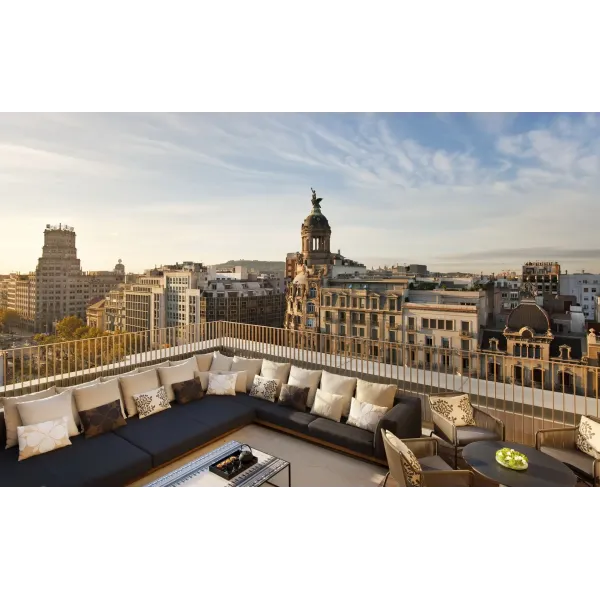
(220, 415)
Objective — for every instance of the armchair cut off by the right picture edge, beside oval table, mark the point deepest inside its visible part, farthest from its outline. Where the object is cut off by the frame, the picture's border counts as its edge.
(562, 445)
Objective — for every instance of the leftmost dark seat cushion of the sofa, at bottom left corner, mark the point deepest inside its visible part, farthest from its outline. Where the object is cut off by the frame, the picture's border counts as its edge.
(103, 461)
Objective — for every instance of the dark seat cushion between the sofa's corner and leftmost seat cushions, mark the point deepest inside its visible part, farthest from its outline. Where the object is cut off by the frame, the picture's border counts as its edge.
(166, 435)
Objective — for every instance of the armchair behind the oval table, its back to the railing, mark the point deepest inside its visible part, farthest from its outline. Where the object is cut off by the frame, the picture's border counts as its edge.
(484, 428)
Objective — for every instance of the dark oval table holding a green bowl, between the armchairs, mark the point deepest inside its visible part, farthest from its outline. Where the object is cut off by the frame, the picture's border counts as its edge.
(543, 471)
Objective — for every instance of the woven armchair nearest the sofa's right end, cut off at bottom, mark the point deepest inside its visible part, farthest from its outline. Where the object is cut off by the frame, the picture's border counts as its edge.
(415, 463)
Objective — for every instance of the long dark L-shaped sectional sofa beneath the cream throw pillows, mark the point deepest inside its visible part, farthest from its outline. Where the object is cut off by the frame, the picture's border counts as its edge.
(128, 453)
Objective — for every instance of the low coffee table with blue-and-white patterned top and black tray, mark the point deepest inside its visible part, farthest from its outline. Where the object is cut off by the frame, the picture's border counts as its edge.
(196, 474)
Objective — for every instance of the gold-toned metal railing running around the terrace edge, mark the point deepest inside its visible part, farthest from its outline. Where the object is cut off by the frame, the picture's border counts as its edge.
(503, 385)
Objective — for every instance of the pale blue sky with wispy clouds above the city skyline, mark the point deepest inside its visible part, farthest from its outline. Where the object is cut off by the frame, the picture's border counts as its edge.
(472, 192)
